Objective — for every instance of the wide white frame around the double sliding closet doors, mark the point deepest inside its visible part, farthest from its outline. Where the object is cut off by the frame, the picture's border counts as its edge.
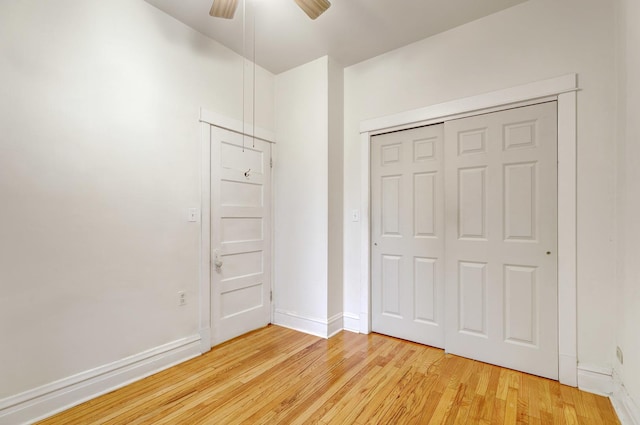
(562, 89)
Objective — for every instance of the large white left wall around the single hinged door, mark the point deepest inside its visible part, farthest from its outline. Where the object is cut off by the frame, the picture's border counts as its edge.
(99, 161)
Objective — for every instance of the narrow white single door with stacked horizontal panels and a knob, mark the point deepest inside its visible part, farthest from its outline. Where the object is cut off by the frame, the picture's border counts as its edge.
(240, 235)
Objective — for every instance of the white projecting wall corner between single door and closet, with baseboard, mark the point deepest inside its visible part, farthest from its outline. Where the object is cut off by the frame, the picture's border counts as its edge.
(309, 197)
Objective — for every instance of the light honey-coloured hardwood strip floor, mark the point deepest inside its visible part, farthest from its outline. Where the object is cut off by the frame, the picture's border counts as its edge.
(279, 376)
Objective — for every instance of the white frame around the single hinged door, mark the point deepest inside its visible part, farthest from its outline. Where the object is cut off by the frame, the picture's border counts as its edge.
(207, 119)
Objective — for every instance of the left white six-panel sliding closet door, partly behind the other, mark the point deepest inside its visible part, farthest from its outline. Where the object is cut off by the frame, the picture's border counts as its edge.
(407, 234)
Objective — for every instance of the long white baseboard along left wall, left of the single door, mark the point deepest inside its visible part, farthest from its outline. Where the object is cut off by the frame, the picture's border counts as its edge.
(42, 402)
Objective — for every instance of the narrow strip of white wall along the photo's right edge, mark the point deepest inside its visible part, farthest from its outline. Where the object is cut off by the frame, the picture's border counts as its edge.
(628, 311)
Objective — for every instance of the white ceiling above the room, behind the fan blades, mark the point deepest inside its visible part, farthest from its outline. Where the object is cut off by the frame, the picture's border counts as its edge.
(350, 31)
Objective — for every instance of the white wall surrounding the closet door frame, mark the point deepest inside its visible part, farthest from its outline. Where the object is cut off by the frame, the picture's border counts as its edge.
(536, 40)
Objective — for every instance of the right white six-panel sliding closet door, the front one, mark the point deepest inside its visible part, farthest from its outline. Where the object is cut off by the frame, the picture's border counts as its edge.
(501, 248)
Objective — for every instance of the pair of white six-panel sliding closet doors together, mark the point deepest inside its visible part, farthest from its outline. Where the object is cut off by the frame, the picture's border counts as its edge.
(464, 237)
